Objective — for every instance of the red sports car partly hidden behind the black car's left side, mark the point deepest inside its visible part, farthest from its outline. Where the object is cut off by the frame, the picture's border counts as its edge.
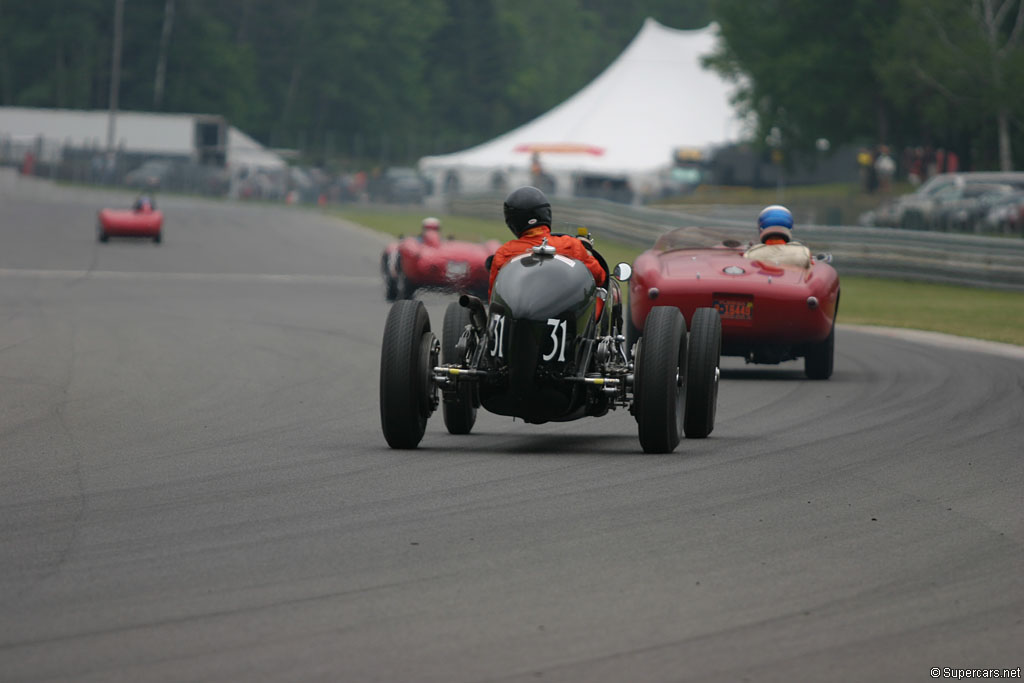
(428, 262)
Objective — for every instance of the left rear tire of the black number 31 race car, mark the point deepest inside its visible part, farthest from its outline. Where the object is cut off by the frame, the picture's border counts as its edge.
(406, 371)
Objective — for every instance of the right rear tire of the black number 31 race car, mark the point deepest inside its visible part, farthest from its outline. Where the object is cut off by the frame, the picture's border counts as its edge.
(661, 366)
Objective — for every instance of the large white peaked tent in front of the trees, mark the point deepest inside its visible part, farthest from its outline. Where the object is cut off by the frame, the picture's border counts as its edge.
(654, 99)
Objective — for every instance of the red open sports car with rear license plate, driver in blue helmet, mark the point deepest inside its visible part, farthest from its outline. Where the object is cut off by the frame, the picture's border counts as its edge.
(776, 305)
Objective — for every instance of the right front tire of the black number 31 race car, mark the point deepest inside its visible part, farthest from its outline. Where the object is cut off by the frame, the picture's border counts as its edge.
(704, 355)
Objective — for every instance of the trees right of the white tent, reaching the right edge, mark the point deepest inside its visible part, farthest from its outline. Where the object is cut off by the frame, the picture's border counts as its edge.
(941, 73)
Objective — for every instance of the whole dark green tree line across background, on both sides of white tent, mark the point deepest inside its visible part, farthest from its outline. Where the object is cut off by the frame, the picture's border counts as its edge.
(399, 79)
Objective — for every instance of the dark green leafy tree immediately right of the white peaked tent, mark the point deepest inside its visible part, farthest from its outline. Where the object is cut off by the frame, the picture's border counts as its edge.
(806, 67)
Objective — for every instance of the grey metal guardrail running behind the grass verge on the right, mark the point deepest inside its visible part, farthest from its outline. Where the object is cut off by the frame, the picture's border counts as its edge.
(878, 252)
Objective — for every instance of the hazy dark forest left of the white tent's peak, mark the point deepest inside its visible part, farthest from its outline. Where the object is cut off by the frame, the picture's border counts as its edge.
(333, 77)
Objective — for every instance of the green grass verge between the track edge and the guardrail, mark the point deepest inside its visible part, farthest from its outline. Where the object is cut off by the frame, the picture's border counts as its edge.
(982, 314)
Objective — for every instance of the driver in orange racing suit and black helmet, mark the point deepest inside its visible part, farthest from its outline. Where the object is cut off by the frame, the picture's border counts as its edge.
(528, 215)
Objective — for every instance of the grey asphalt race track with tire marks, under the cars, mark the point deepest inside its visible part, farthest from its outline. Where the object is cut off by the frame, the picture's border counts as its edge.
(194, 487)
